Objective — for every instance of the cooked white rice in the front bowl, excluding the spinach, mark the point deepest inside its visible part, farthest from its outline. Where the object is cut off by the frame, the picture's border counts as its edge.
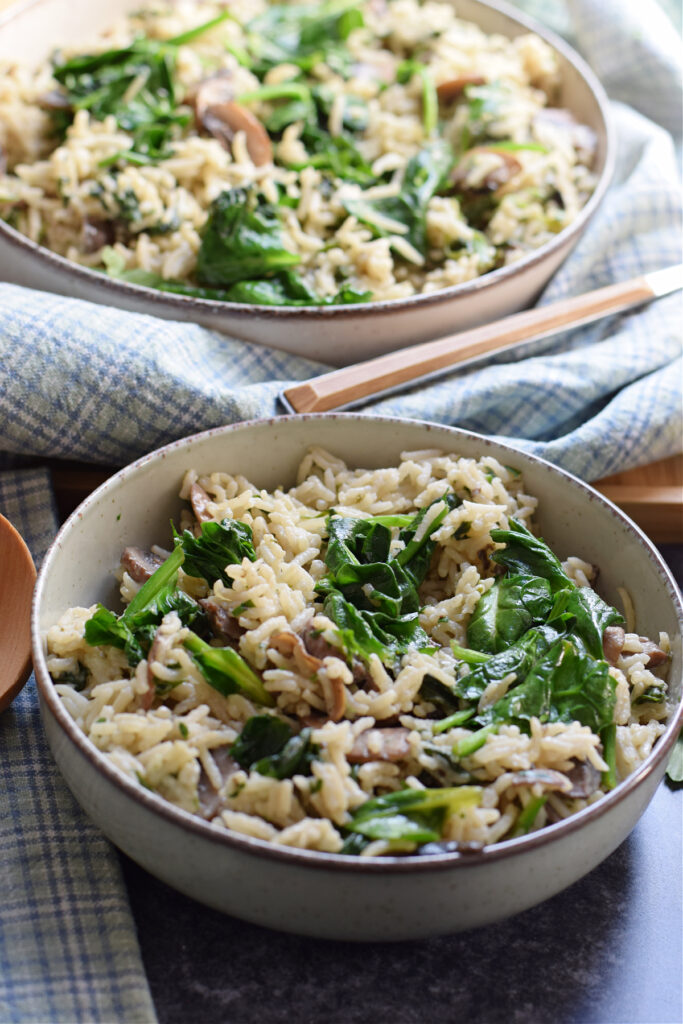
(174, 744)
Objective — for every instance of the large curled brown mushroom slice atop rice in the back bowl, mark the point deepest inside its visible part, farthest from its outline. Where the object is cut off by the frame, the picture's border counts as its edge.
(221, 115)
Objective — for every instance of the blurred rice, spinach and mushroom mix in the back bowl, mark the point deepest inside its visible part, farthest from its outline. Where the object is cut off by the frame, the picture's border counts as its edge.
(294, 155)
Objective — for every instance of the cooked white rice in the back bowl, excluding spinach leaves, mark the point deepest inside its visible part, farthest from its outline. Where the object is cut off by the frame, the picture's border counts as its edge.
(151, 219)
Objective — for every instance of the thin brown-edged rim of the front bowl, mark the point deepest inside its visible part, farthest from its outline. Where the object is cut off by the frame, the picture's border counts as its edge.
(247, 845)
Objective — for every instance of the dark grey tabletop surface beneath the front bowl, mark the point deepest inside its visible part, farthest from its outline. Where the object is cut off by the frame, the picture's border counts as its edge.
(608, 951)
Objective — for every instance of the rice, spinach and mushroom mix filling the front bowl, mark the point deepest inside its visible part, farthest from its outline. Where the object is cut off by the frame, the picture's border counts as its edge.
(372, 662)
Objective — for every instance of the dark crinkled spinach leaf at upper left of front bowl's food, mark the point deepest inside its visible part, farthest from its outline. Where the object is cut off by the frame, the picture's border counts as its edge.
(220, 545)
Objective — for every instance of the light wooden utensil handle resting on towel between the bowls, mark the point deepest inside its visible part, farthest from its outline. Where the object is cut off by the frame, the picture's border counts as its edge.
(351, 386)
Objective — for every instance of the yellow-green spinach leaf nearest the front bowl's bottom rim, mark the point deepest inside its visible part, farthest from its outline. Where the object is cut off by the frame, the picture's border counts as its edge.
(413, 816)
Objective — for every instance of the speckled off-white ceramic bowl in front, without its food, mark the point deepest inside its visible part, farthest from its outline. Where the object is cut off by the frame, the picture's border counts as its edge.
(324, 894)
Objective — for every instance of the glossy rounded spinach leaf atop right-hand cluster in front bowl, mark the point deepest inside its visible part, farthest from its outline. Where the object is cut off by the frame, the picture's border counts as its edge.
(508, 610)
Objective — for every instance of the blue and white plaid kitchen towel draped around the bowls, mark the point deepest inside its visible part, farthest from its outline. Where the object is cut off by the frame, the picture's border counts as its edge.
(96, 385)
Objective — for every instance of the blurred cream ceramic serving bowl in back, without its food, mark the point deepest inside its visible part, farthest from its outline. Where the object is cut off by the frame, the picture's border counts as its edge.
(344, 334)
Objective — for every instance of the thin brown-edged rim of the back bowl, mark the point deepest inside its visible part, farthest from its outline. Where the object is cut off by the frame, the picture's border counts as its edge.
(241, 311)
